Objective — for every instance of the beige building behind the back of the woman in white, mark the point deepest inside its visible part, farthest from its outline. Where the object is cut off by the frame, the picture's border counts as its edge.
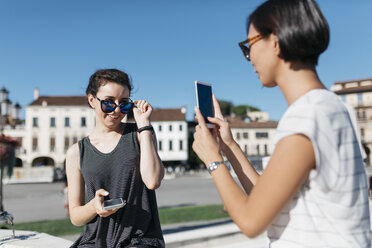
(358, 95)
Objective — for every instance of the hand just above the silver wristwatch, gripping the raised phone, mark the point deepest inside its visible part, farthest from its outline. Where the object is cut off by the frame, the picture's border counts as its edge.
(205, 145)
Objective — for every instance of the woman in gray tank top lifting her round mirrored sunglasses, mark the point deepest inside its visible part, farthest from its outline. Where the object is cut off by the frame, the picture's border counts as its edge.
(117, 160)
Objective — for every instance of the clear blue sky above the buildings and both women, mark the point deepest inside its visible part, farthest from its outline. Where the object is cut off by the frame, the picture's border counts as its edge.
(163, 45)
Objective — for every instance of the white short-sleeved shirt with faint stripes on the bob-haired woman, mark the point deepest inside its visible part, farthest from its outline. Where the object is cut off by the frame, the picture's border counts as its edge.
(331, 209)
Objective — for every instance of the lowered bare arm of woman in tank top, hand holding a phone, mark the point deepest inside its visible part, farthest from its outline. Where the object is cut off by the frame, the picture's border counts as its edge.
(81, 213)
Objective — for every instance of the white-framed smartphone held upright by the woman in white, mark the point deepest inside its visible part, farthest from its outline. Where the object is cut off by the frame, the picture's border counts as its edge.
(204, 100)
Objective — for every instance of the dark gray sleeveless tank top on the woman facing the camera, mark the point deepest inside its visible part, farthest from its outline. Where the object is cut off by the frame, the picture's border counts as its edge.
(118, 172)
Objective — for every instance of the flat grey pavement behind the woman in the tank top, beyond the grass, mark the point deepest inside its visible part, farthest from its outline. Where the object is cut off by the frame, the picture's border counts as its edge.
(44, 201)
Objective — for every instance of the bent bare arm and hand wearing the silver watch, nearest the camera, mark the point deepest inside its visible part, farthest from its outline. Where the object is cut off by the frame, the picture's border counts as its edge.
(285, 173)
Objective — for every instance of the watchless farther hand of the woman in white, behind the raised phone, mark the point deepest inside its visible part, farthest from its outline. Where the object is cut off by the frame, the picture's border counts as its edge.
(222, 129)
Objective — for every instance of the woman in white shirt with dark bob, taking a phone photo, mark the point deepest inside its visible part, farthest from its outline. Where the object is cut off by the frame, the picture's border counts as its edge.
(313, 192)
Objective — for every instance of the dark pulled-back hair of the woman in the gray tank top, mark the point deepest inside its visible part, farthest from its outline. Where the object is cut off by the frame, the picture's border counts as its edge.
(103, 76)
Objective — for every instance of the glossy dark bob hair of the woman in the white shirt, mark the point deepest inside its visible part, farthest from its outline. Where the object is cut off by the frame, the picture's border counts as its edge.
(301, 28)
